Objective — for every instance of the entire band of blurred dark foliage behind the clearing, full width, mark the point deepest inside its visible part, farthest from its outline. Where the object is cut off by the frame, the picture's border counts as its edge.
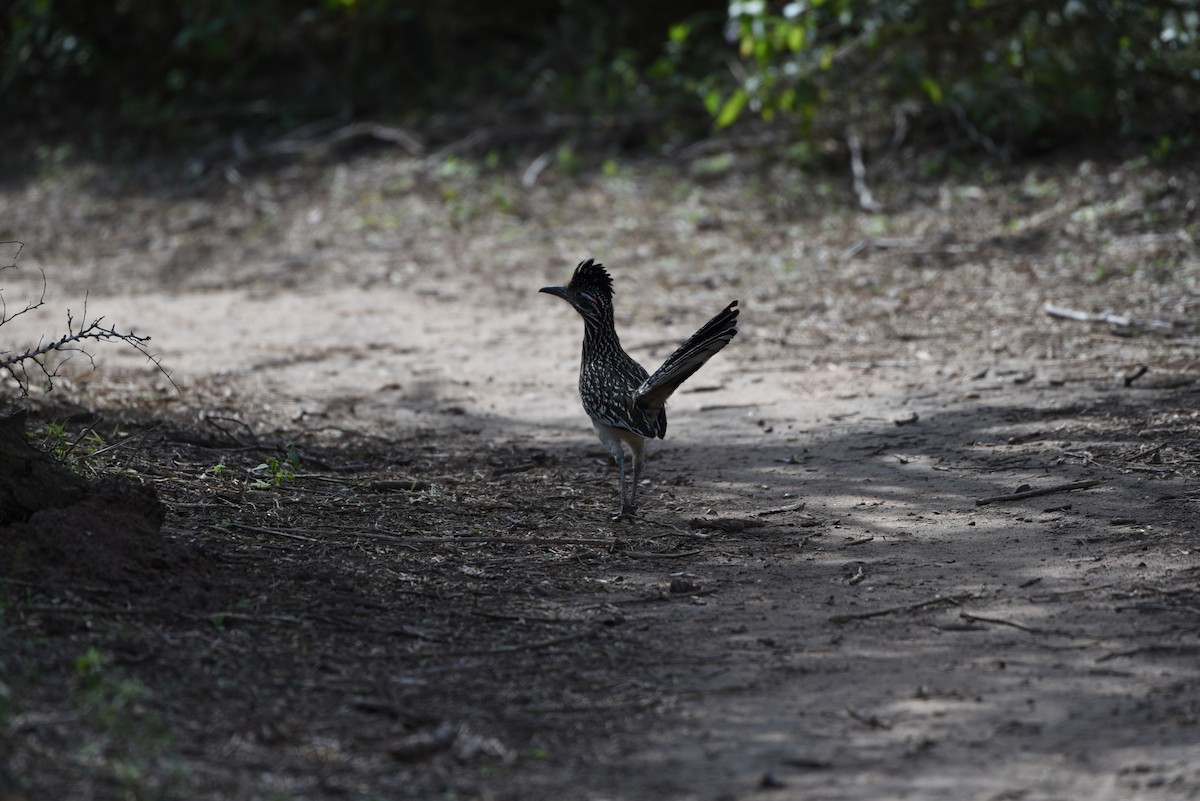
(1024, 73)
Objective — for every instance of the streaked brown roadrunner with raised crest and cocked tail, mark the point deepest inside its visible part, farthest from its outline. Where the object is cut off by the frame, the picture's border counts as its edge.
(627, 405)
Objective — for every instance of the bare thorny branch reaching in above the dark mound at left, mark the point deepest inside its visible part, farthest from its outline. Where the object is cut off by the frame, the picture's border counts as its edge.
(43, 363)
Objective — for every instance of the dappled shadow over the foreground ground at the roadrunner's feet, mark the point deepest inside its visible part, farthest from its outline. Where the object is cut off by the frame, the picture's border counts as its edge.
(826, 613)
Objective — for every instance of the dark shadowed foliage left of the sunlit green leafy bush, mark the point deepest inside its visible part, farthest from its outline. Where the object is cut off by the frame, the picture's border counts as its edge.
(189, 69)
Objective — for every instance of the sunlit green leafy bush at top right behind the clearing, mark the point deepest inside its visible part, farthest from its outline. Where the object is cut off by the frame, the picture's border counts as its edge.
(1023, 71)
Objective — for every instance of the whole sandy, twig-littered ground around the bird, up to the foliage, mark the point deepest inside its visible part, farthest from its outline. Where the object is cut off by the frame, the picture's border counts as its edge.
(814, 603)
